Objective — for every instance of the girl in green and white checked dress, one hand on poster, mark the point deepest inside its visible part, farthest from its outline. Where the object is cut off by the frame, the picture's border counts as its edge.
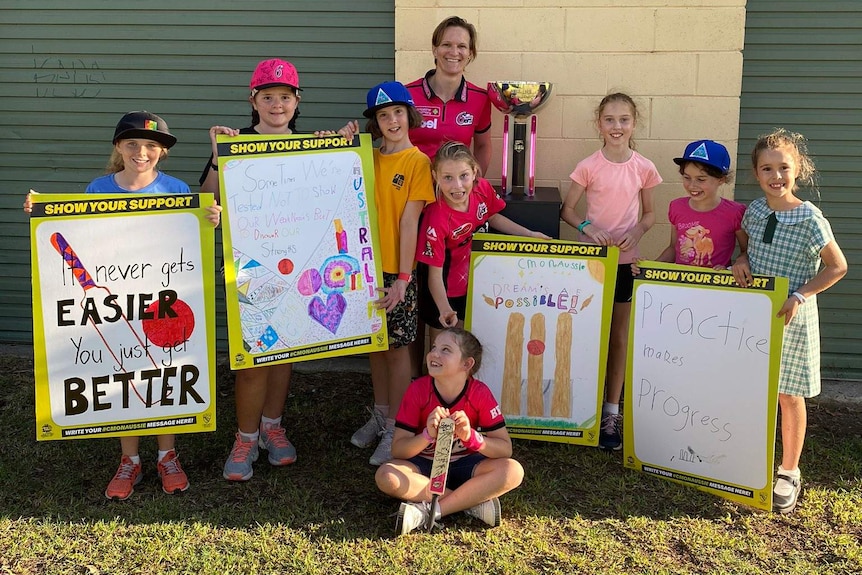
(790, 237)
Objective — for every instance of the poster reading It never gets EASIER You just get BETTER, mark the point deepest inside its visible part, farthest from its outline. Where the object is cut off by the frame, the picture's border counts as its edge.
(123, 314)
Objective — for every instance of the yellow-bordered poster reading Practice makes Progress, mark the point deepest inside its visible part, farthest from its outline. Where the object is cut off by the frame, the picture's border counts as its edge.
(702, 390)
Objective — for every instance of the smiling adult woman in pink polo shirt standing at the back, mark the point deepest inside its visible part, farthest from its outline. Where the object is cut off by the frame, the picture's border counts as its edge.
(452, 107)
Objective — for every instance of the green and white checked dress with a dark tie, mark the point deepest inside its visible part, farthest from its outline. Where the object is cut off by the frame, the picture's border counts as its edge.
(800, 236)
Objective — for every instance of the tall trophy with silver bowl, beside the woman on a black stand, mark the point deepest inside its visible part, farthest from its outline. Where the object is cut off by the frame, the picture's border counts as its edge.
(520, 100)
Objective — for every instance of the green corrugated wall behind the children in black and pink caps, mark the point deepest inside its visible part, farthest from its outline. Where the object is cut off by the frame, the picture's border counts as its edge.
(69, 69)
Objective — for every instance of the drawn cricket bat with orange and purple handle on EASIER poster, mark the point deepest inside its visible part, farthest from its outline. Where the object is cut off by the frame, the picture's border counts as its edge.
(113, 333)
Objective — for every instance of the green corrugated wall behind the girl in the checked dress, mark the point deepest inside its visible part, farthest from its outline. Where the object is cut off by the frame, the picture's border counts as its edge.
(803, 70)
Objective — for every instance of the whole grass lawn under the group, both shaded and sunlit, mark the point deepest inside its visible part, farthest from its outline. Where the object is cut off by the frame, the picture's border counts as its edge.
(579, 510)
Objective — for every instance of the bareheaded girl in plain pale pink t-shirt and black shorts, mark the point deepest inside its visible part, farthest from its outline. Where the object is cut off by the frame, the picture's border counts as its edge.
(618, 185)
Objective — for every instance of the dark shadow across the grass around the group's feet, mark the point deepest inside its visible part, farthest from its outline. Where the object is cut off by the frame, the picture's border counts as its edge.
(329, 492)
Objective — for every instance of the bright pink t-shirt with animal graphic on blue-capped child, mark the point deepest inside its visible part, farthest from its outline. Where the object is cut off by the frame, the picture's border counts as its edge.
(705, 239)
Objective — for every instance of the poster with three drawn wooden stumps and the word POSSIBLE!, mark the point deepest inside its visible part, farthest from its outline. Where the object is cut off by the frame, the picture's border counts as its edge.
(542, 310)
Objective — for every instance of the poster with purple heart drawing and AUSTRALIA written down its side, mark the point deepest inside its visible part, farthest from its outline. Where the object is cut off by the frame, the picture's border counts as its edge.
(301, 248)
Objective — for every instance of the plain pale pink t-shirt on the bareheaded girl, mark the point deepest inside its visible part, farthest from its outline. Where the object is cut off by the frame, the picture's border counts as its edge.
(613, 194)
